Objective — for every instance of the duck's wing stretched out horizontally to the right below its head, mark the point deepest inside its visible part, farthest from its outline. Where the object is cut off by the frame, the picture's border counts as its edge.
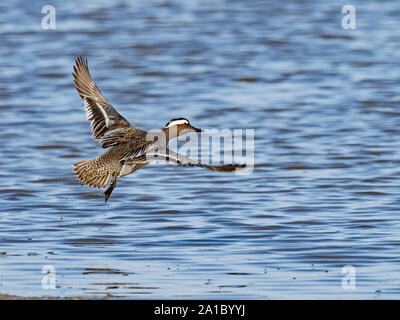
(168, 156)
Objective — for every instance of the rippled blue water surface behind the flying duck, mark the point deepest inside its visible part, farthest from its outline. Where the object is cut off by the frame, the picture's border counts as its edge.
(323, 102)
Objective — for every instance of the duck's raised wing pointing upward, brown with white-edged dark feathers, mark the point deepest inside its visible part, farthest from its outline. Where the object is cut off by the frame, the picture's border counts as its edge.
(108, 125)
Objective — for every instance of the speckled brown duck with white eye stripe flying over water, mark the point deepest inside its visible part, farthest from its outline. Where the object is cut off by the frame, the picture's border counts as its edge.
(129, 148)
